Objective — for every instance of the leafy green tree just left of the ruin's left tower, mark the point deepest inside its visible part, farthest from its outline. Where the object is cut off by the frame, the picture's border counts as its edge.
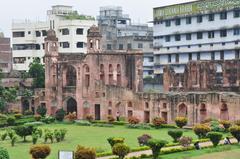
(37, 72)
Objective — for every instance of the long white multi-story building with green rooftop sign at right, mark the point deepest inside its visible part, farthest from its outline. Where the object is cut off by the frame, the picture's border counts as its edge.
(199, 30)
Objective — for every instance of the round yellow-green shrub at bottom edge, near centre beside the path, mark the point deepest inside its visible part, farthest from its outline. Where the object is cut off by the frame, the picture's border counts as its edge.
(121, 150)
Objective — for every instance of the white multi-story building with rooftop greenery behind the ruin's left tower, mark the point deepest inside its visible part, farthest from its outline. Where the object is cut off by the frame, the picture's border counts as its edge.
(28, 37)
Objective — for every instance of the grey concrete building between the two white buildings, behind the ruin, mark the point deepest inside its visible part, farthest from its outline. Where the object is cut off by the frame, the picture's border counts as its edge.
(120, 33)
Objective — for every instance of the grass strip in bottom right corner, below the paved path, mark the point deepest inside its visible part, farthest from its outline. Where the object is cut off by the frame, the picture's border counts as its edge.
(220, 152)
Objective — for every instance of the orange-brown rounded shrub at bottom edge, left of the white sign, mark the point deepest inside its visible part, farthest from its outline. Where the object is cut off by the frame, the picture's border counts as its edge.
(40, 151)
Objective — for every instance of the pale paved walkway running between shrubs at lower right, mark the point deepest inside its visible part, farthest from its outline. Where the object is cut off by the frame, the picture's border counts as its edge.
(149, 152)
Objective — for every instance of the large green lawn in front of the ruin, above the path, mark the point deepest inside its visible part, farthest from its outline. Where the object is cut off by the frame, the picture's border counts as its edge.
(87, 136)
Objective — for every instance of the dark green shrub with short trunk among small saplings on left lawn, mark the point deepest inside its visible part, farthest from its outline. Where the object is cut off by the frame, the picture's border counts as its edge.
(24, 131)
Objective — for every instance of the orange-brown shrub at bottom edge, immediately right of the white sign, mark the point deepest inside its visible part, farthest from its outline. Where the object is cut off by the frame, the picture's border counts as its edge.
(85, 153)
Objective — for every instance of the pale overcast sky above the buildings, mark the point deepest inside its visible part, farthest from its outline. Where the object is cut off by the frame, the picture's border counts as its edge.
(139, 10)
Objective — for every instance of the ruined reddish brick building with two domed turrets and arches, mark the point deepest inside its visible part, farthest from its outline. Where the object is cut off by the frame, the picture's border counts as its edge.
(103, 83)
